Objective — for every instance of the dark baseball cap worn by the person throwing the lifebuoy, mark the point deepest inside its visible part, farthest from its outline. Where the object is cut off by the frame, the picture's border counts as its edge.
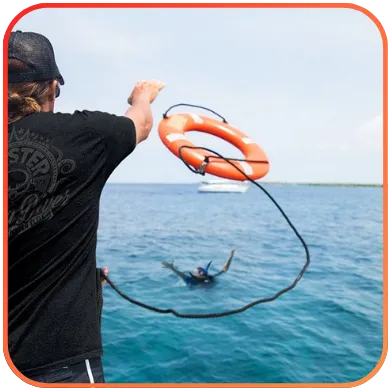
(36, 51)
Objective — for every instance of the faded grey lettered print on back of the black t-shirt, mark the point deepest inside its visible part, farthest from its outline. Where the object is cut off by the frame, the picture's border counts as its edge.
(35, 169)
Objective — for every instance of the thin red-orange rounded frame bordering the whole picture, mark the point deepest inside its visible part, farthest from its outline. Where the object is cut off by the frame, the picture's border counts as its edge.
(31, 8)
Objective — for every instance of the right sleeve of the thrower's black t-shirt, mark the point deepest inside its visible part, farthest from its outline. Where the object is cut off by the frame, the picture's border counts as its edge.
(118, 134)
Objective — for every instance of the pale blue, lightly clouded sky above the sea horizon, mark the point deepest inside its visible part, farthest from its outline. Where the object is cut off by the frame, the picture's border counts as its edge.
(305, 84)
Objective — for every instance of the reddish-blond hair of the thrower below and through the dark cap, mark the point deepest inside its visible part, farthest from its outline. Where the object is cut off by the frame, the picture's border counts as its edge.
(28, 97)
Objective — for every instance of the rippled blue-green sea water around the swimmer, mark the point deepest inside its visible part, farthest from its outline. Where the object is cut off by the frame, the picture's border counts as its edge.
(327, 329)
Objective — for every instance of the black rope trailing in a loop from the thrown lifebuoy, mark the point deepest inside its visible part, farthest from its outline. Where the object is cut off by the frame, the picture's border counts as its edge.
(202, 172)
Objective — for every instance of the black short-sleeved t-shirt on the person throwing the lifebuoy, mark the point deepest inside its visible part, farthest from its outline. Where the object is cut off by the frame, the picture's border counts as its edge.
(58, 166)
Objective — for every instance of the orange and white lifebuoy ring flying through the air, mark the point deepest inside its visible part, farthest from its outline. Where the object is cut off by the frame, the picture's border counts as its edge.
(172, 131)
